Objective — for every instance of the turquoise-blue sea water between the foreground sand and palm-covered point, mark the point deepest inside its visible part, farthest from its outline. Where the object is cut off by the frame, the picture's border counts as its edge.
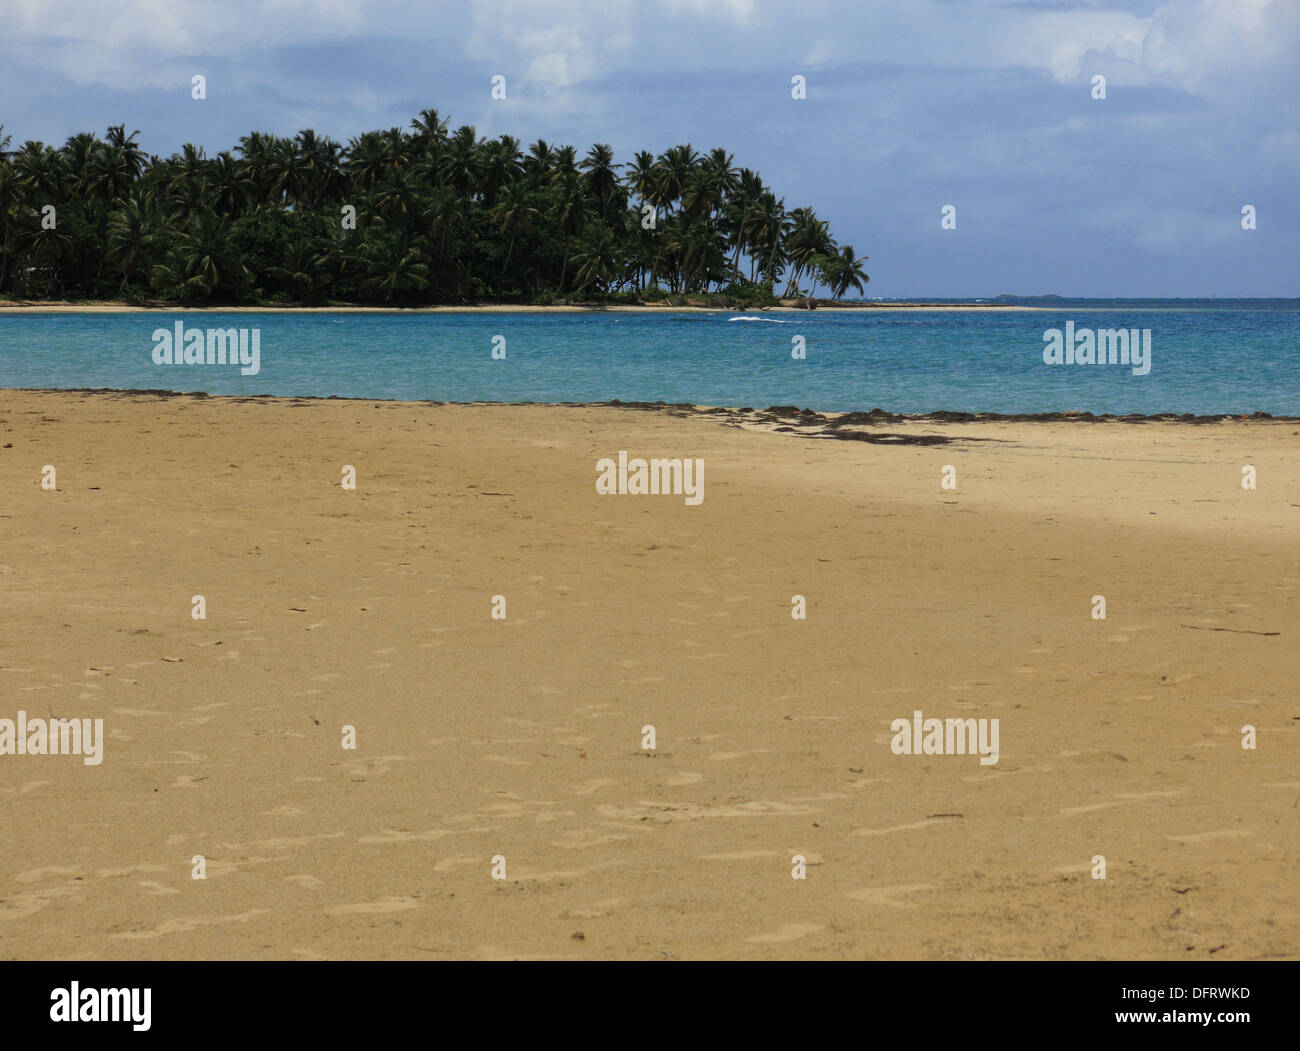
(1206, 358)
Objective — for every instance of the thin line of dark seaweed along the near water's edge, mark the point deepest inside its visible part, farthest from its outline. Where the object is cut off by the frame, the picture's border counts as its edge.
(788, 417)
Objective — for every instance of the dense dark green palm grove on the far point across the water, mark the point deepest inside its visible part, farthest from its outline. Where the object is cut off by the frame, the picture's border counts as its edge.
(439, 218)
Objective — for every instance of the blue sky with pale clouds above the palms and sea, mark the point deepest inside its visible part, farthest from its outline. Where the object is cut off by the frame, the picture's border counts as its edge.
(986, 106)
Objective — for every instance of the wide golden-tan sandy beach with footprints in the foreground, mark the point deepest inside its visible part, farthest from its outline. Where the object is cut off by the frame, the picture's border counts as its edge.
(523, 738)
